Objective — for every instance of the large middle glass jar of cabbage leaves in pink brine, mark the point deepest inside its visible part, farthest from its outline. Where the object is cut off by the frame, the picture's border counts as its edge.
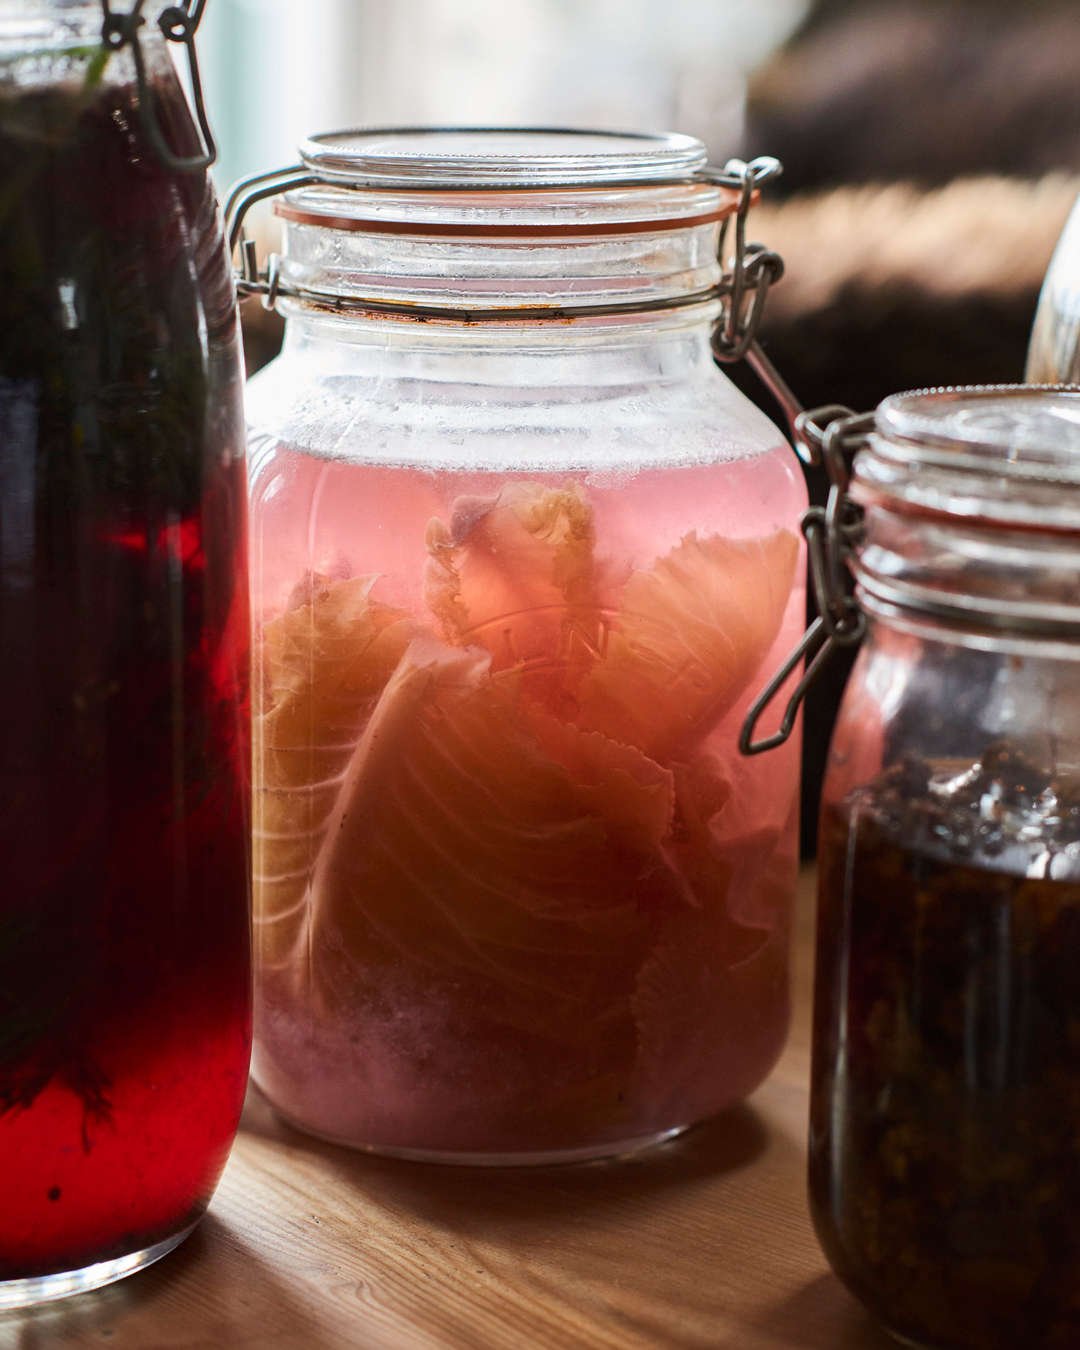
(516, 572)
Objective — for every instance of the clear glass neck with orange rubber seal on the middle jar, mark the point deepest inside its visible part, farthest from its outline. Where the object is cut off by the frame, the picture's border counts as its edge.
(574, 249)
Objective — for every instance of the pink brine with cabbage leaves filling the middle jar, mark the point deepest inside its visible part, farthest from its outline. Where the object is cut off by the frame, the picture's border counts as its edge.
(516, 893)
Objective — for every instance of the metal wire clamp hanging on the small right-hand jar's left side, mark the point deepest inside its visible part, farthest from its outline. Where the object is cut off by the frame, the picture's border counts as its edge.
(832, 534)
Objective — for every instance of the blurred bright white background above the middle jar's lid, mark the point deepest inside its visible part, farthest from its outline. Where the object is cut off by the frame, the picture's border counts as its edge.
(277, 71)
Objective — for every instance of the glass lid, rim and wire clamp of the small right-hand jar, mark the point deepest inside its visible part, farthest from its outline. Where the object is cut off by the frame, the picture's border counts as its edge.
(969, 526)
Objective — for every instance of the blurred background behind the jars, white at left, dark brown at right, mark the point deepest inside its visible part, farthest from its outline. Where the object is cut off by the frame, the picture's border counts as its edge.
(932, 153)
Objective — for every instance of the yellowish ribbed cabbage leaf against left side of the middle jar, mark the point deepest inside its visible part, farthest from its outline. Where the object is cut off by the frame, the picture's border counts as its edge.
(325, 664)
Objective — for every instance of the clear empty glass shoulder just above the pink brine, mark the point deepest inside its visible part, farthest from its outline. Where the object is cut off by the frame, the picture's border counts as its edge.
(530, 415)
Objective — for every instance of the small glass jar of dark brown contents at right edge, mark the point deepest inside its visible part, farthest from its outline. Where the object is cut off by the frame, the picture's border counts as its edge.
(946, 1116)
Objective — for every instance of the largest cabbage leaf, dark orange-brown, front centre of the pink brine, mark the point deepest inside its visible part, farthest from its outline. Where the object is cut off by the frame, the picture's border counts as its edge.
(464, 844)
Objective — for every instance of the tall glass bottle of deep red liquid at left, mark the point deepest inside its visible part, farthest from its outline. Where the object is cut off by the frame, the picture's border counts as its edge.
(125, 944)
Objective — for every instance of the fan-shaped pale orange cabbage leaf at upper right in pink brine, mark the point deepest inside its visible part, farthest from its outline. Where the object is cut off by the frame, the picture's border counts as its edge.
(691, 635)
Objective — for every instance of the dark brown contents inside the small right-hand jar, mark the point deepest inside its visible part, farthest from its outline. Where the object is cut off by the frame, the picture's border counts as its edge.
(946, 1116)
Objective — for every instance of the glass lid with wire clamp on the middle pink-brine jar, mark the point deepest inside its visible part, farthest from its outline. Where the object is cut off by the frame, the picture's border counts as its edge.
(535, 186)
